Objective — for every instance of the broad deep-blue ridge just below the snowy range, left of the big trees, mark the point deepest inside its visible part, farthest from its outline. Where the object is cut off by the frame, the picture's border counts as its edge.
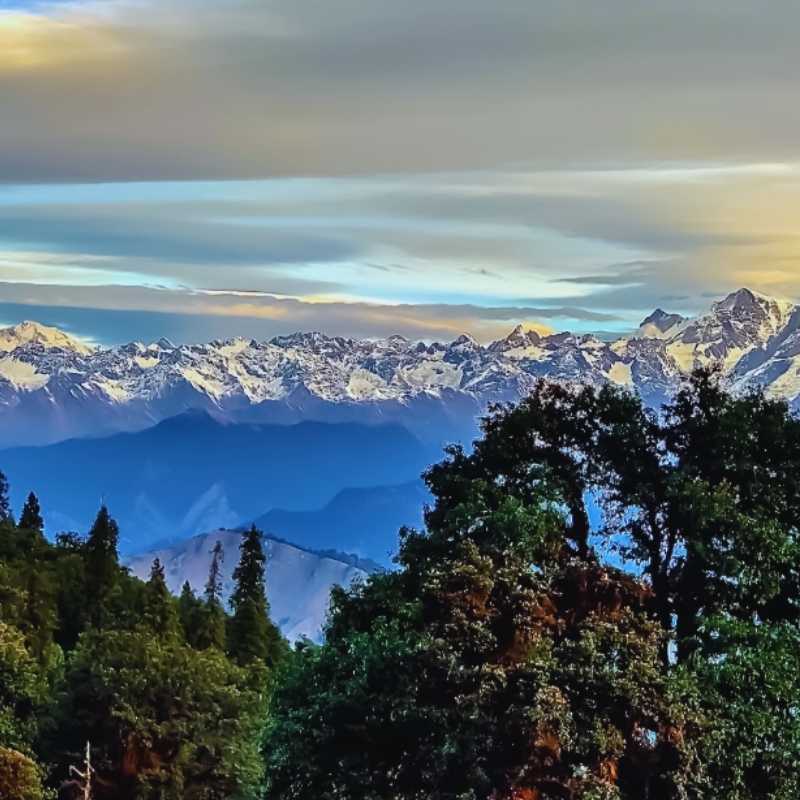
(193, 473)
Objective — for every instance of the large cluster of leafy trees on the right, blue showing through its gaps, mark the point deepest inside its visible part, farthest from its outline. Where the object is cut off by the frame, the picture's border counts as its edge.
(508, 659)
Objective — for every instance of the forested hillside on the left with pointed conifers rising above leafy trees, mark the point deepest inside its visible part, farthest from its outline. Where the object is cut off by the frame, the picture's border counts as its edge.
(171, 693)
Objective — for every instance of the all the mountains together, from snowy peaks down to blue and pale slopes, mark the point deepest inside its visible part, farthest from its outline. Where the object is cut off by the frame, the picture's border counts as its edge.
(320, 440)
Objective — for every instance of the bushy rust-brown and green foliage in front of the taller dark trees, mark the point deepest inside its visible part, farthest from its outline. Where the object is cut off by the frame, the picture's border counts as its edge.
(487, 667)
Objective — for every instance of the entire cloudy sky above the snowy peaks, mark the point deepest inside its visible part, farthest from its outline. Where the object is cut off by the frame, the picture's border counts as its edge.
(201, 169)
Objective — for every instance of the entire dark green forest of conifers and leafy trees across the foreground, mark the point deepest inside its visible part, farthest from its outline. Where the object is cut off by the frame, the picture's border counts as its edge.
(518, 652)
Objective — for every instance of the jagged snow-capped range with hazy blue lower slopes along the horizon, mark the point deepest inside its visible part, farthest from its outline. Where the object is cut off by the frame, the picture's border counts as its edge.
(53, 386)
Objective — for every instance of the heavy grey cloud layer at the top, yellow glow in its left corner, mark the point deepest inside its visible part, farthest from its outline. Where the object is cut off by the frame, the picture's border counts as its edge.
(257, 88)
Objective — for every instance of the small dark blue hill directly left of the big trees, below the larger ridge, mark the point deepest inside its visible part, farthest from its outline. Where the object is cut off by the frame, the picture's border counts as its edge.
(363, 521)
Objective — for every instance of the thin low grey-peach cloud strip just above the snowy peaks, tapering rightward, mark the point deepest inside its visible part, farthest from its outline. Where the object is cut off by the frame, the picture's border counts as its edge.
(262, 316)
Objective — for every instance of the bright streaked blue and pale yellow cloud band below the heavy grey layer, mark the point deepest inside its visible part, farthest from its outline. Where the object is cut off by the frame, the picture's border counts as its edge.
(524, 241)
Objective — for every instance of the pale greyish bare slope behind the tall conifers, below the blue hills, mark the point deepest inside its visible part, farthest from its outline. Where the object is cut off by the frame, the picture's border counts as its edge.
(299, 581)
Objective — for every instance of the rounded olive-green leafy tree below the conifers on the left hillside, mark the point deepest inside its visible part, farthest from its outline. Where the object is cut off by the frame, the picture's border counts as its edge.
(165, 720)
